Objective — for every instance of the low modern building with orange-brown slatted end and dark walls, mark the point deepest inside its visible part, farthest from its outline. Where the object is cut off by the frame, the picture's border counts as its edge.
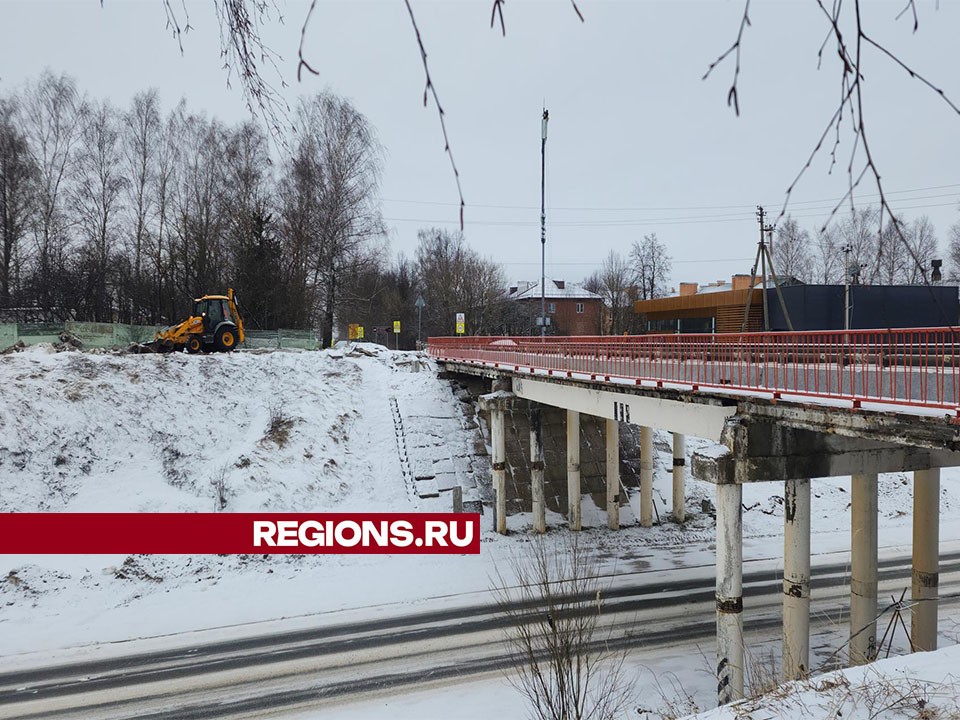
(720, 307)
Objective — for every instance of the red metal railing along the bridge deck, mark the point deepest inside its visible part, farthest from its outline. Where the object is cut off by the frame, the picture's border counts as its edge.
(917, 367)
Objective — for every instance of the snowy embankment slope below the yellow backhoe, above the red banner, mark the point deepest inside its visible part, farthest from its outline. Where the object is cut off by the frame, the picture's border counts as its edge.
(180, 433)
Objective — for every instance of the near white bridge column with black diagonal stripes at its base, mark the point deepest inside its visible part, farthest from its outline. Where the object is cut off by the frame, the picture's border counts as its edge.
(730, 651)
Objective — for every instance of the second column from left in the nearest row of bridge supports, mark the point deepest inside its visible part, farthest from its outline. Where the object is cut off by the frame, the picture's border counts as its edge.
(796, 579)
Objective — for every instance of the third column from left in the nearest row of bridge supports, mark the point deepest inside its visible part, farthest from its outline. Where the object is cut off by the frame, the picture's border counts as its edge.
(863, 569)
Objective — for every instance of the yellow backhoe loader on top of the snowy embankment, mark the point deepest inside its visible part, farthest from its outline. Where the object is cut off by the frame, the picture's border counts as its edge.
(214, 324)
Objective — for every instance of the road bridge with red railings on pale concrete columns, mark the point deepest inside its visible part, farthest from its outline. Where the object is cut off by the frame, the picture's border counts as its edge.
(785, 407)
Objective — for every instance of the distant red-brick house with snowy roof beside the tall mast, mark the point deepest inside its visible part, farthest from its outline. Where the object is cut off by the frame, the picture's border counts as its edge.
(571, 310)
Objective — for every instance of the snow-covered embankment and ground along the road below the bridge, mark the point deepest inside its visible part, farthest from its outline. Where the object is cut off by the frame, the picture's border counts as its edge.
(307, 432)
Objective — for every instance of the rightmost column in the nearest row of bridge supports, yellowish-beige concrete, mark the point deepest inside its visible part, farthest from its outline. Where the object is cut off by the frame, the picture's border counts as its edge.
(926, 559)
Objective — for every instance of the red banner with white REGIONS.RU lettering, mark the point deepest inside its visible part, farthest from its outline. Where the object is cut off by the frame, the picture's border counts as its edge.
(240, 533)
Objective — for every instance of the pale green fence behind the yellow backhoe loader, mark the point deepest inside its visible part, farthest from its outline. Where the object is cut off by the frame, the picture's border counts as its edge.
(107, 335)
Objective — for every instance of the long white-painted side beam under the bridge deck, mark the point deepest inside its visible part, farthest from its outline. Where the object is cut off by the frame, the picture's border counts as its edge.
(699, 419)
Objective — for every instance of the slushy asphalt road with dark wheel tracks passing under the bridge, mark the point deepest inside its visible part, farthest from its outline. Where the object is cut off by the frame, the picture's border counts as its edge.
(251, 677)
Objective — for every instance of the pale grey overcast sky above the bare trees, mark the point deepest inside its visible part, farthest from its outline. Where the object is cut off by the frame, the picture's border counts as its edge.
(638, 143)
